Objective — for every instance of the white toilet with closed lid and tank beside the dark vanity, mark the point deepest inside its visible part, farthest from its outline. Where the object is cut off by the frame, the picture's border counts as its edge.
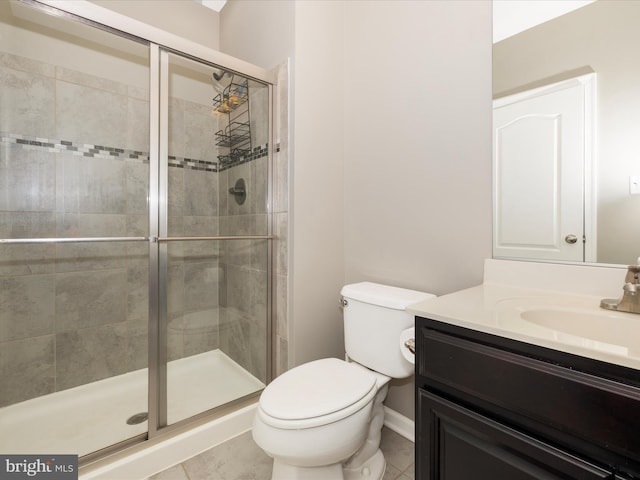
(322, 420)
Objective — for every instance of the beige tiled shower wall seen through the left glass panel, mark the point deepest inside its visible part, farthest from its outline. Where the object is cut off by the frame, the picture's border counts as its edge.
(70, 313)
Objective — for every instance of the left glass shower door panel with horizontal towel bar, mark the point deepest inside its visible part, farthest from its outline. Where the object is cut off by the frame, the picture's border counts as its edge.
(74, 169)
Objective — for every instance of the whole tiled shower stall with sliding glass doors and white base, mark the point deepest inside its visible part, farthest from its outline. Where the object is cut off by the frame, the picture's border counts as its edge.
(135, 232)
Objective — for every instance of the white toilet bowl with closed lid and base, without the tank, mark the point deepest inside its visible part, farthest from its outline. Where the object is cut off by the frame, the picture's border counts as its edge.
(311, 434)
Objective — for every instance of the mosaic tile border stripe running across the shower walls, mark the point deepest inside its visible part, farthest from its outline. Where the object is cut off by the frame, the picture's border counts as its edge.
(105, 152)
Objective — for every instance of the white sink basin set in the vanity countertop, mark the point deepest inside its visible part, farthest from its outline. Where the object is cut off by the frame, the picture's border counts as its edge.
(575, 321)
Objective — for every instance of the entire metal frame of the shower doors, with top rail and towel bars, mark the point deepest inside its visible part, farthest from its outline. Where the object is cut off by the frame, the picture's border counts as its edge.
(162, 43)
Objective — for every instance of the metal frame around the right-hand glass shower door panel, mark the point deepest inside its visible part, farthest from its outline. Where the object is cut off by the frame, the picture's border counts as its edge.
(159, 235)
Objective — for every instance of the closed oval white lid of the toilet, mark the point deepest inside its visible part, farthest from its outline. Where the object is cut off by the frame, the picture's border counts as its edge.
(315, 389)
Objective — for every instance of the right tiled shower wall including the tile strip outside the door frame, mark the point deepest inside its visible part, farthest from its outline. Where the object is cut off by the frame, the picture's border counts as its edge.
(243, 263)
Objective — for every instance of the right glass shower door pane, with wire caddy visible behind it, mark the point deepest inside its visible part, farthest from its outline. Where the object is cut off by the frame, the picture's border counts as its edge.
(214, 250)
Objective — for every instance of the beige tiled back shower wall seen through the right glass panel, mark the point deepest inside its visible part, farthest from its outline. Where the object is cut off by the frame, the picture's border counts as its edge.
(193, 275)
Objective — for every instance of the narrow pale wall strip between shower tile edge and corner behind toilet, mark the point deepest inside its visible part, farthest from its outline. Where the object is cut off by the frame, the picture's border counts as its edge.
(318, 187)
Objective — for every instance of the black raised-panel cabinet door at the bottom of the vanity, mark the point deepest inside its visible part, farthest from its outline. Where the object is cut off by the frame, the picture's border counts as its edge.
(454, 443)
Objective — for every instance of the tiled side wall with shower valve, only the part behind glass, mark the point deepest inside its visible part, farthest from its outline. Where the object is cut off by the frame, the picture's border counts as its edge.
(243, 263)
